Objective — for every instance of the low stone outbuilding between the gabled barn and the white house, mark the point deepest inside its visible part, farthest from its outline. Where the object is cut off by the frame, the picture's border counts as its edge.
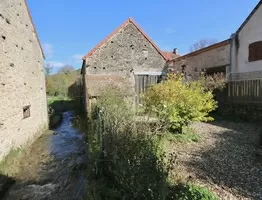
(214, 58)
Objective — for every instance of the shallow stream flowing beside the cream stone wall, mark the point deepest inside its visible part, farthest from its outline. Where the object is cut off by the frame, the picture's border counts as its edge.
(54, 166)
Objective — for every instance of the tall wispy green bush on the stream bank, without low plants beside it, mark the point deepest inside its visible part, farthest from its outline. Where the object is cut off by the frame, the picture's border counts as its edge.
(130, 167)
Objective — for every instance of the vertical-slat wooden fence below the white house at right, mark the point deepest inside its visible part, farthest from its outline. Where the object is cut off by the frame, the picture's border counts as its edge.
(245, 91)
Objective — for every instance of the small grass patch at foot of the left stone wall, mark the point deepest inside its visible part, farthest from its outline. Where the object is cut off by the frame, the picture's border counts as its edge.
(9, 163)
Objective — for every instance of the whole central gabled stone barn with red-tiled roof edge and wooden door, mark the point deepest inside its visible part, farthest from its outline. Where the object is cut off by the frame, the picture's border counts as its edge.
(127, 58)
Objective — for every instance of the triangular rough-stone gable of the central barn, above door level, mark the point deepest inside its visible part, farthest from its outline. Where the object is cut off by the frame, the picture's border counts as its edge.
(127, 51)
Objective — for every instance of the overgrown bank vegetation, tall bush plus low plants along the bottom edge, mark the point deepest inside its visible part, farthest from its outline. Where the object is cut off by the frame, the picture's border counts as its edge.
(128, 160)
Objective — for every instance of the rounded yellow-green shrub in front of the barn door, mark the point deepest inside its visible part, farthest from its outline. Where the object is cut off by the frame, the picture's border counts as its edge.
(177, 103)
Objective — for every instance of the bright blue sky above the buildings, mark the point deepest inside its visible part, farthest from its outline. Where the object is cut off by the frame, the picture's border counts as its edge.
(68, 29)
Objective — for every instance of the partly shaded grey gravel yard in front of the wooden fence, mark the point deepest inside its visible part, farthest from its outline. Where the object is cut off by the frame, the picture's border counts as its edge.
(231, 161)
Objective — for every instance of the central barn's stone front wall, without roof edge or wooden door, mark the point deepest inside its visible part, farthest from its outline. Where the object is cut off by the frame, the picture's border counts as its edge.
(126, 52)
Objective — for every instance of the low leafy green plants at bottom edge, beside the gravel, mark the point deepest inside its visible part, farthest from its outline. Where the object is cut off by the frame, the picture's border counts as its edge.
(190, 192)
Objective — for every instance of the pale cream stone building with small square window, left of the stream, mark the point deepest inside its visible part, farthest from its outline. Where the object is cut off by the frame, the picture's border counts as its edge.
(23, 105)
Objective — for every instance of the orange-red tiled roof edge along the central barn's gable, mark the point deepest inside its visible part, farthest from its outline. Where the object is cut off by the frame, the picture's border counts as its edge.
(129, 20)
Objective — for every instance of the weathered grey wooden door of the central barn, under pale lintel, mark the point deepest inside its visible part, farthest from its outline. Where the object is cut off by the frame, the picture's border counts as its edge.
(143, 81)
